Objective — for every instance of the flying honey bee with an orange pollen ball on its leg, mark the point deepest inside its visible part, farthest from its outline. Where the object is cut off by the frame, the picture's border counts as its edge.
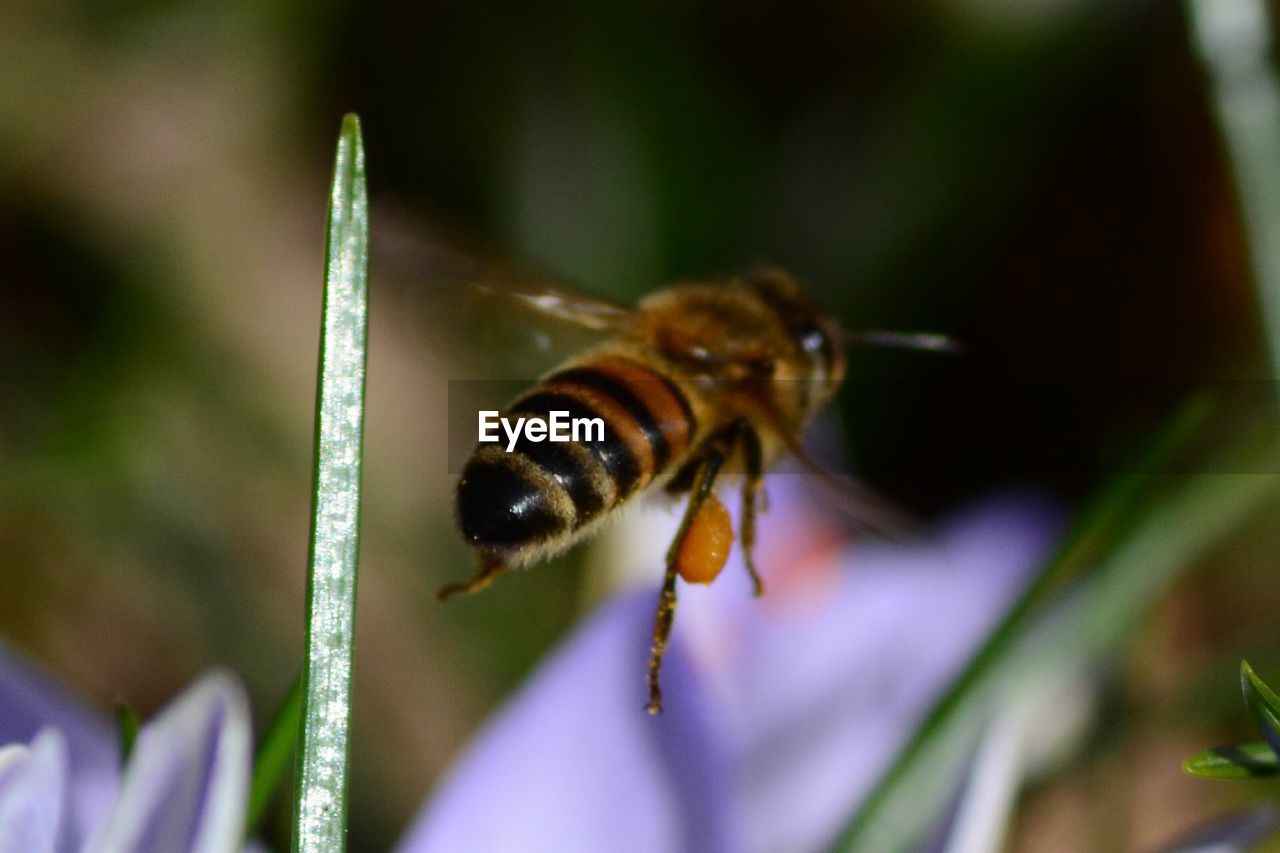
(697, 382)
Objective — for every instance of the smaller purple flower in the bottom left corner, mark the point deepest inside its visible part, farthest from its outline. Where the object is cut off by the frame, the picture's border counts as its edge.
(185, 788)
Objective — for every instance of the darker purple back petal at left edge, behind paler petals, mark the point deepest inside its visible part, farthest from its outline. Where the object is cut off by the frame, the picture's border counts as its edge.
(31, 701)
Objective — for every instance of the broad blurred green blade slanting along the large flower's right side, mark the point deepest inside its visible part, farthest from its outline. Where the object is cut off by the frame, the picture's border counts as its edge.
(1136, 556)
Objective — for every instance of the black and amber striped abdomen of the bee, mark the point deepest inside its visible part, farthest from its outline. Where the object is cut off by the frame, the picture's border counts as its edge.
(543, 494)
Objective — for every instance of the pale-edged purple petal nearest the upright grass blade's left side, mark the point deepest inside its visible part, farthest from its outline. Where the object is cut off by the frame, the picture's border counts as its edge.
(186, 786)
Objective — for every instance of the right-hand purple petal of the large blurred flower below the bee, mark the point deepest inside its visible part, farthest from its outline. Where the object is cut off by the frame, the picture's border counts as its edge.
(829, 696)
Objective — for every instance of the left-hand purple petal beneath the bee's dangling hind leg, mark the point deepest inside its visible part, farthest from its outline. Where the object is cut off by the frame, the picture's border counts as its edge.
(575, 764)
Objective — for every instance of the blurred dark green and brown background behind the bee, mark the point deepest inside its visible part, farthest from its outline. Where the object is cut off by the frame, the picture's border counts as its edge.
(1043, 180)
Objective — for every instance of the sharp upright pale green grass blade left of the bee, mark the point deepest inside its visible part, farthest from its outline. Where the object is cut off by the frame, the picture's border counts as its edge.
(321, 802)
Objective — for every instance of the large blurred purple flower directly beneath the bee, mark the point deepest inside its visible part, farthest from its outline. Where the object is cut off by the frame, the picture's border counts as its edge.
(780, 714)
